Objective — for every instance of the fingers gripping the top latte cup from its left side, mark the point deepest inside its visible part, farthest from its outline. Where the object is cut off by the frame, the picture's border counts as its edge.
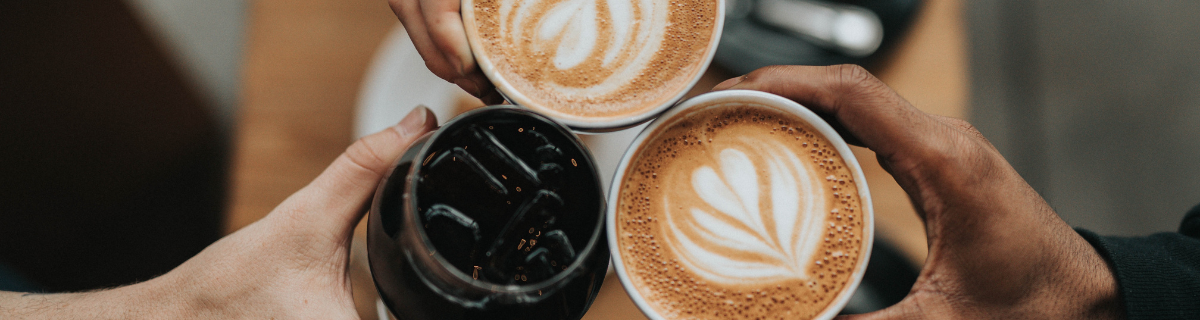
(437, 32)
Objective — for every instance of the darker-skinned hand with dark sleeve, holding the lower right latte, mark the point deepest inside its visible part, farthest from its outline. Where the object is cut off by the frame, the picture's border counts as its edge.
(997, 249)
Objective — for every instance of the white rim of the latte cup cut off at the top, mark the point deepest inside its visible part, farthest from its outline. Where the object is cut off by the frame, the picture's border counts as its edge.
(578, 123)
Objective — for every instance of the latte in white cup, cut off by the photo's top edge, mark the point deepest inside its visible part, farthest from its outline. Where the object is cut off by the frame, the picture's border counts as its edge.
(591, 63)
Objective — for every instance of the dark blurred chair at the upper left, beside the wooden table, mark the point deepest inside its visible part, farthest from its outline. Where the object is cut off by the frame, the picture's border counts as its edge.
(112, 167)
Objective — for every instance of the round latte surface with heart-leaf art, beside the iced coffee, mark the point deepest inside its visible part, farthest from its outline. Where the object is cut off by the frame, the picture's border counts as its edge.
(740, 212)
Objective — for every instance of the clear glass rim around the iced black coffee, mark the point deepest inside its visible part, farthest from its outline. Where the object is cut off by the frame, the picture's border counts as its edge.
(555, 282)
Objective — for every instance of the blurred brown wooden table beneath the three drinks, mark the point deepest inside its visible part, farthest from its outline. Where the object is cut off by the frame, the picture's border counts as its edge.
(305, 61)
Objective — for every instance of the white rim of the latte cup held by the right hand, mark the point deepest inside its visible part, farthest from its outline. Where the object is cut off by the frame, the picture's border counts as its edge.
(712, 100)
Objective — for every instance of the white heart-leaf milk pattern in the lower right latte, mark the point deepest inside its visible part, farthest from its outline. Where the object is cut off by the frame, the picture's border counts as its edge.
(734, 220)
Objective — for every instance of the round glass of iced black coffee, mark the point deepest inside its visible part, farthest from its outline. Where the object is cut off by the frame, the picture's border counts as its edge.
(497, 215)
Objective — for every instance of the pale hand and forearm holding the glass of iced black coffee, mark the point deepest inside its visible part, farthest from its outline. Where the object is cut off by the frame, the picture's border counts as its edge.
(293, 264)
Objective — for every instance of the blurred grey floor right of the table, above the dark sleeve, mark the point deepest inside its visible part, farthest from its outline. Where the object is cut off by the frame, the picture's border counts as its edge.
(1096, 104)
